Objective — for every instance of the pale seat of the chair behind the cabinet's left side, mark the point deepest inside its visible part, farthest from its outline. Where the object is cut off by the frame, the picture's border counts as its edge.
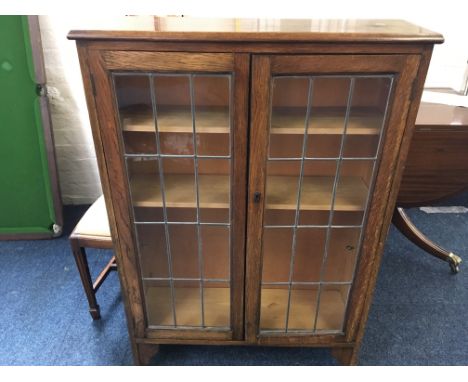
(95, 221)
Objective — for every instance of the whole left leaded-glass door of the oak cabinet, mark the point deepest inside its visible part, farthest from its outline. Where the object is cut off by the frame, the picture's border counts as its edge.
(173, 128)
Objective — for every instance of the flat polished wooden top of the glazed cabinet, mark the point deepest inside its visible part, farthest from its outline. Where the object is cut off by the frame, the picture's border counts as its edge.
(153, 28)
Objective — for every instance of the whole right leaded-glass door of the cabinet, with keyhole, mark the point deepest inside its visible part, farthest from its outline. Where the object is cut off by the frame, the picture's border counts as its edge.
(325, 133)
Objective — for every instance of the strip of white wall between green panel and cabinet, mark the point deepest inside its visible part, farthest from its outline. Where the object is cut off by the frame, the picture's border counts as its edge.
(76, 159)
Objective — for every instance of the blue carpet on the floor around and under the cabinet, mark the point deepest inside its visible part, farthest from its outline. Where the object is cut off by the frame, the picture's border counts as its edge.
(419, 314)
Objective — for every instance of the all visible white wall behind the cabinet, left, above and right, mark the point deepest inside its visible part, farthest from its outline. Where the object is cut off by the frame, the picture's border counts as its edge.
(78, 173)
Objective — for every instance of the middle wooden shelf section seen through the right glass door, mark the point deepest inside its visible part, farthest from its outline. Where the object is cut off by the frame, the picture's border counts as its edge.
(316, 193)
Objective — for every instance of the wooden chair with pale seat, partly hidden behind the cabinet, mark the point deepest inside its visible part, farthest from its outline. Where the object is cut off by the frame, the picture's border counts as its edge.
(92, 231)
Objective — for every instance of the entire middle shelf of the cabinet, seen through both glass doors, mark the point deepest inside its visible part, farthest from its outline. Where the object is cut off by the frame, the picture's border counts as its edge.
(281, 195)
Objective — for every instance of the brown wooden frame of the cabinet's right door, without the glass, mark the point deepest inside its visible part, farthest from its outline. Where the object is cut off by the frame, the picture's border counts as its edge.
(405, 69)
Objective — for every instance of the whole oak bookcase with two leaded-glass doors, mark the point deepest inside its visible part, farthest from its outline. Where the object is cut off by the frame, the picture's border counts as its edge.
(250, 169)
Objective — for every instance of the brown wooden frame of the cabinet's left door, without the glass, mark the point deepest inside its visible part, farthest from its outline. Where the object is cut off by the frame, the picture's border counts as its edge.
(101, 64)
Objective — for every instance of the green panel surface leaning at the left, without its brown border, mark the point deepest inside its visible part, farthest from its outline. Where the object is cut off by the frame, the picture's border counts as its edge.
(25, 192)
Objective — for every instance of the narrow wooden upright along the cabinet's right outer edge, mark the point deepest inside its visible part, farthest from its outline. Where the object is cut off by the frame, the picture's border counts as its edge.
(396, 145)
